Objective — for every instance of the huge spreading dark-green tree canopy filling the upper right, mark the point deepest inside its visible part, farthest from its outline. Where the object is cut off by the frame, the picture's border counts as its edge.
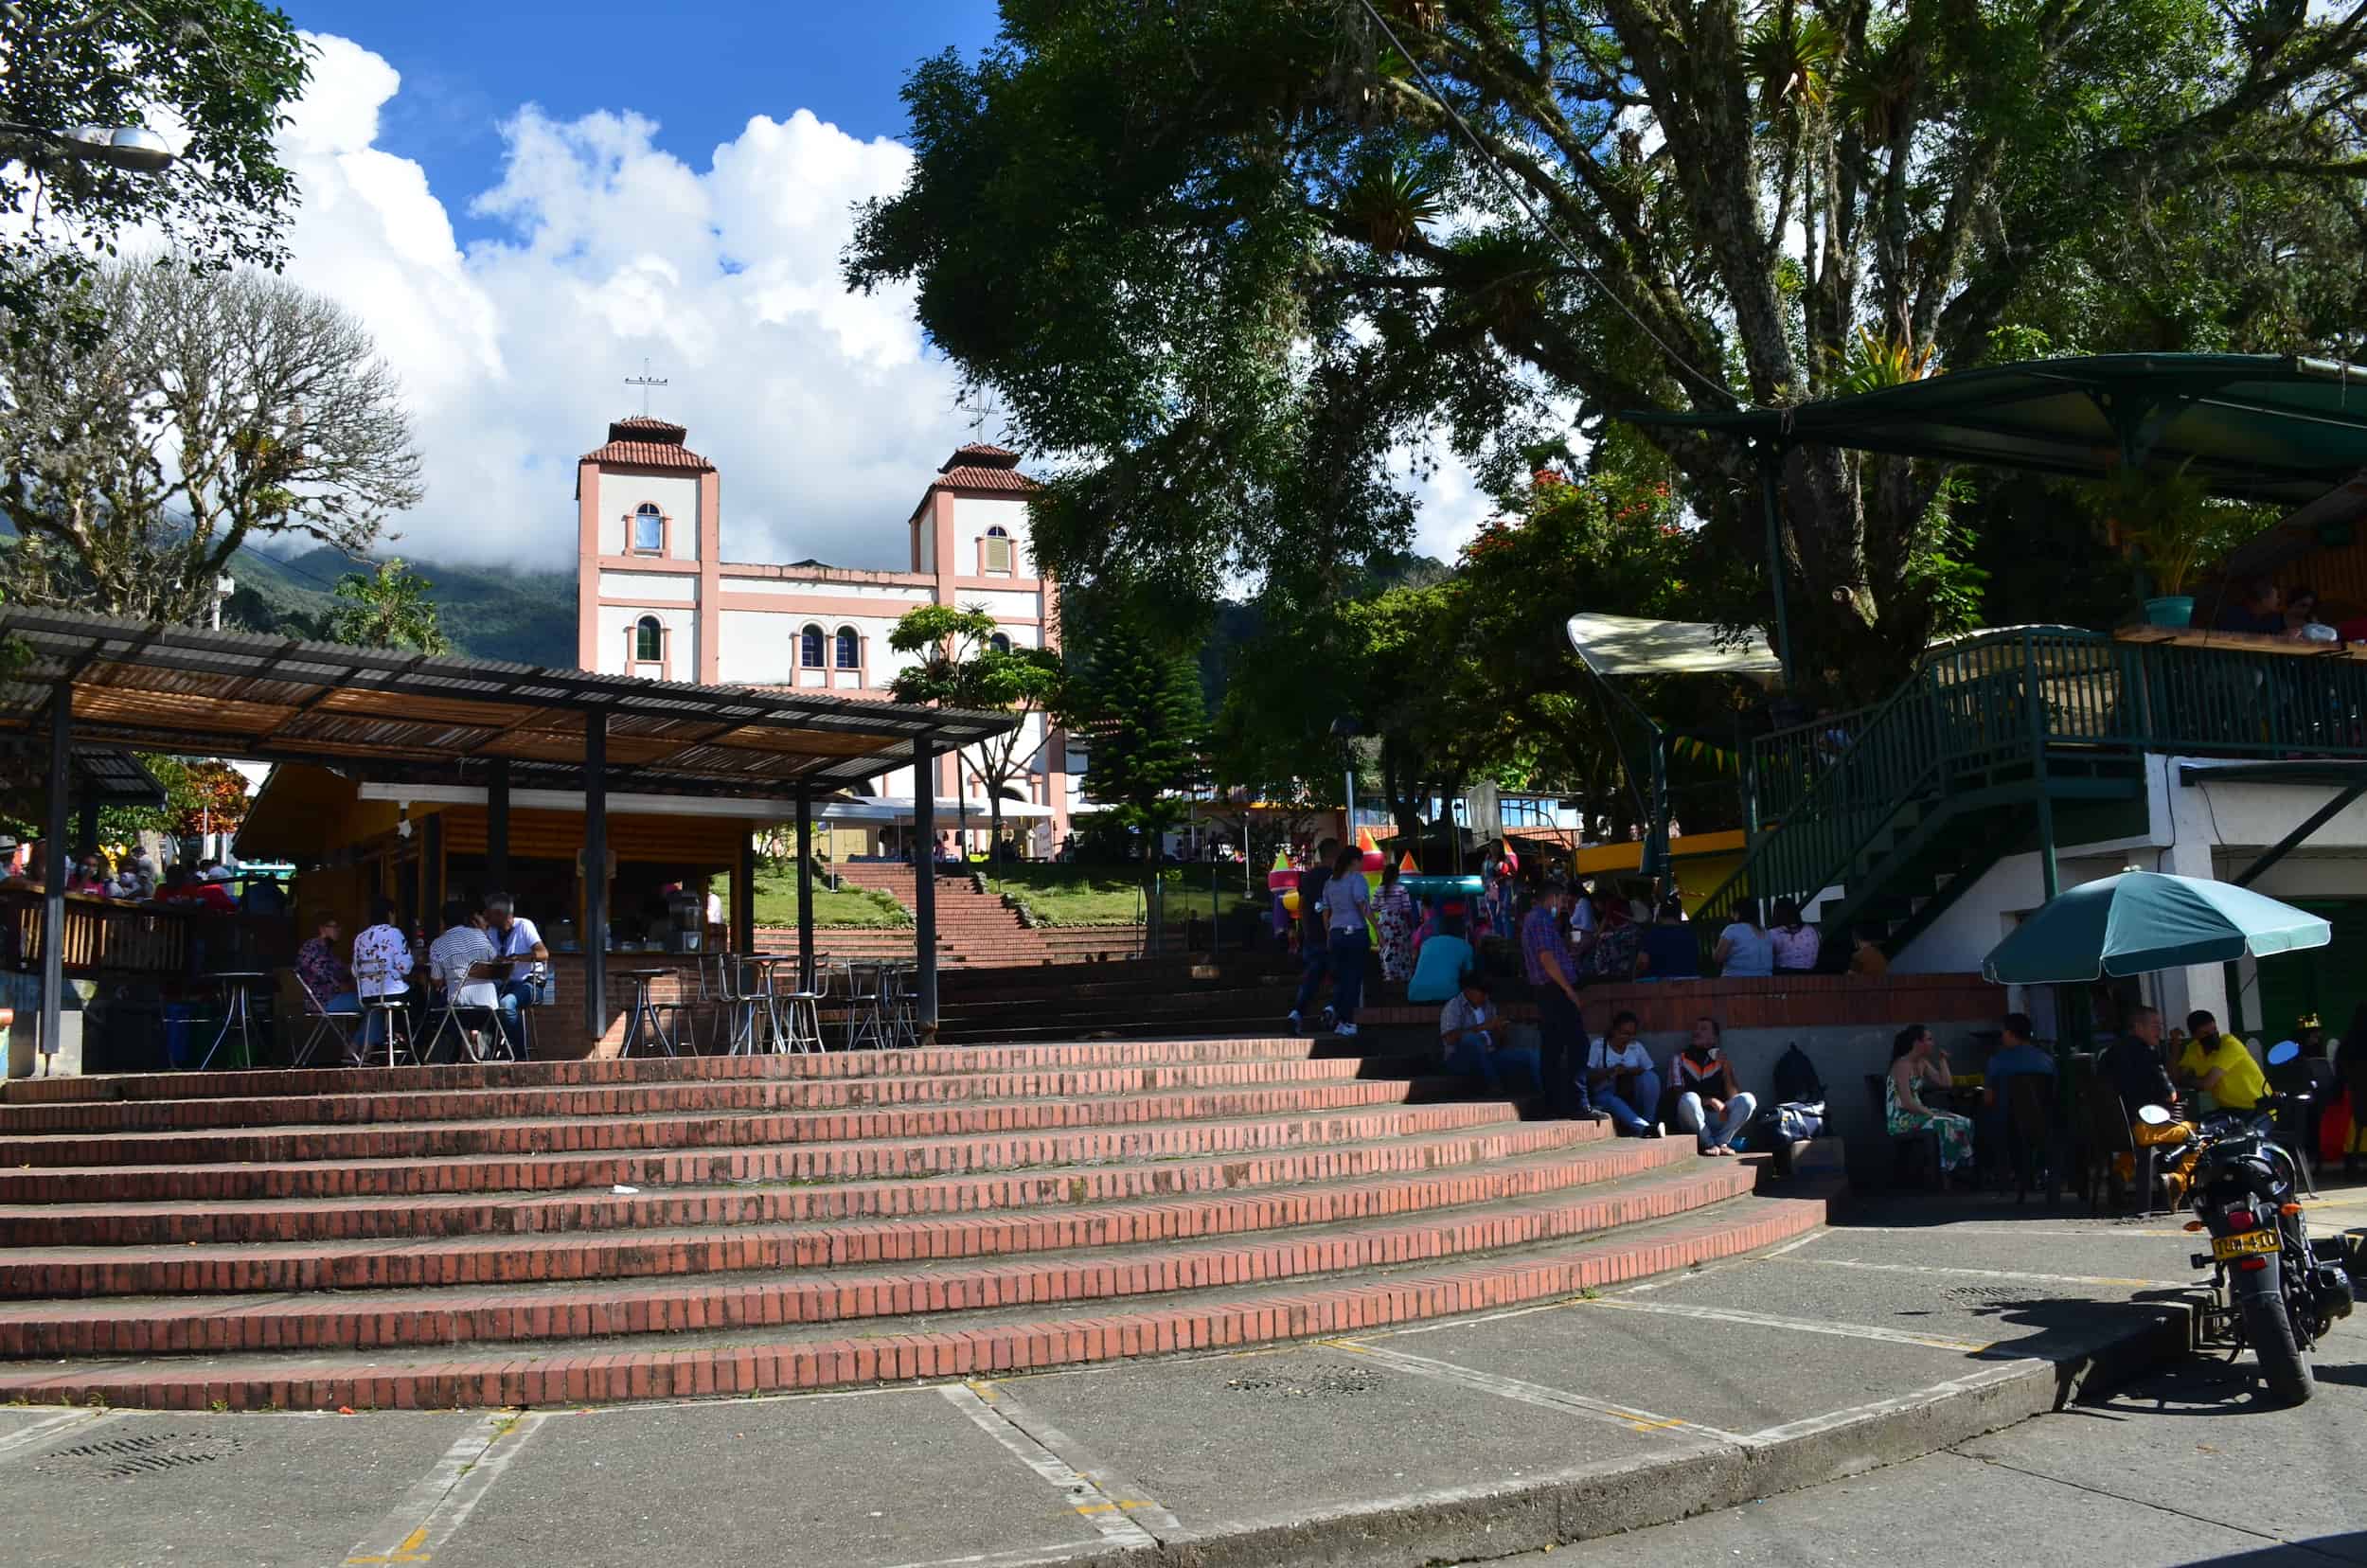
(1230, 257)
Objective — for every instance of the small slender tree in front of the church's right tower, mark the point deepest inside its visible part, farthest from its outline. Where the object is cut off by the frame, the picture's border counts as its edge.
(967, 662)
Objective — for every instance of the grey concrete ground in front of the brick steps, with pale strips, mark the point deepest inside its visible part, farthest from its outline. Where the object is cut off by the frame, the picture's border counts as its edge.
(1916, 1335)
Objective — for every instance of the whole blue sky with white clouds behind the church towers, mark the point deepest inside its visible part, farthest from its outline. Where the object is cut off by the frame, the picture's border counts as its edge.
(524, 200)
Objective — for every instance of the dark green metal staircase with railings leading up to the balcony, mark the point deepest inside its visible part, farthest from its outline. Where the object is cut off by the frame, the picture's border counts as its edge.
(1888, 816)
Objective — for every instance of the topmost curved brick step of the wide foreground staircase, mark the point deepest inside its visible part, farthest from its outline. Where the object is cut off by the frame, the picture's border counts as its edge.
(638, 1069)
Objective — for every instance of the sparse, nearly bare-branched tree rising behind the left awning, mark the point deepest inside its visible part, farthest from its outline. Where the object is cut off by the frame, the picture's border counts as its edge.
(219, 411)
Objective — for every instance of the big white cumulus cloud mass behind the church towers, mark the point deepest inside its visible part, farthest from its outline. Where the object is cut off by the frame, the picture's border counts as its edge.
(823, 409)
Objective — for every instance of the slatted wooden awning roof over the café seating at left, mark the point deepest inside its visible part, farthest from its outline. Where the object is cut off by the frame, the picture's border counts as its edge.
(394, 716)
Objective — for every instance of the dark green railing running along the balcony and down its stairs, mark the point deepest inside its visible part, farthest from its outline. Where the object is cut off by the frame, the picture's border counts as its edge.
(2008, 707)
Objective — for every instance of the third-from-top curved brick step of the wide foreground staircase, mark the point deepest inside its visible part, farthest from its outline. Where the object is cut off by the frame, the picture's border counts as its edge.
(792, 1162)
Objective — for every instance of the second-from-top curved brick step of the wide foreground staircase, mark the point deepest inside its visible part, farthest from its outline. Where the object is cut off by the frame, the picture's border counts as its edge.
(780, 1093)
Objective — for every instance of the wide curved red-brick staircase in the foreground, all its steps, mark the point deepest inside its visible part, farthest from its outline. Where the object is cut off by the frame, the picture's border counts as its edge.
(617, 1230)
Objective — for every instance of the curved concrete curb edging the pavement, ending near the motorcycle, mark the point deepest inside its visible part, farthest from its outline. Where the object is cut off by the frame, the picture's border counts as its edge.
(1679, 1479)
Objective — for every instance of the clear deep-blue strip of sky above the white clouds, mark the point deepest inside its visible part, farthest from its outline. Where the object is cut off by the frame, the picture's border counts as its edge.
(699, 68)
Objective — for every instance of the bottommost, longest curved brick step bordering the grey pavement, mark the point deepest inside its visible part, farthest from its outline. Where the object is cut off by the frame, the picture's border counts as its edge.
(770, 1361)
